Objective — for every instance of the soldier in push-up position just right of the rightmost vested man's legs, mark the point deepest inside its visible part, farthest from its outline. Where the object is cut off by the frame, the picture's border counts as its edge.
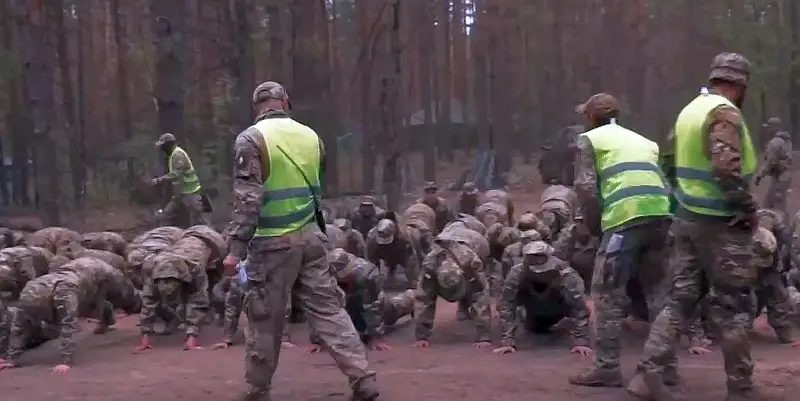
(771, 291)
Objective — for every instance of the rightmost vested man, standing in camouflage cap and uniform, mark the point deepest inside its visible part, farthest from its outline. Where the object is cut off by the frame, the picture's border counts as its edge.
(714, 224)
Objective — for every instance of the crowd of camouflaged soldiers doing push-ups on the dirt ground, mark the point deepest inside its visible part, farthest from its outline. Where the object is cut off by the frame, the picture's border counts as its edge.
(534, 270)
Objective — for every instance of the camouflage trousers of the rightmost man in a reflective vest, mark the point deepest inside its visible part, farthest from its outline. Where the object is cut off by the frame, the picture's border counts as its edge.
(713, 262)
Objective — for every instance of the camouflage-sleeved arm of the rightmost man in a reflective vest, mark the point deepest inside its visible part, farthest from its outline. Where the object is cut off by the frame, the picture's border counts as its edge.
(725, 149)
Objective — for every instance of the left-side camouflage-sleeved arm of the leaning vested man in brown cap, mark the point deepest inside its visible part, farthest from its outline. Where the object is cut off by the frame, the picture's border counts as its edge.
(586, 185)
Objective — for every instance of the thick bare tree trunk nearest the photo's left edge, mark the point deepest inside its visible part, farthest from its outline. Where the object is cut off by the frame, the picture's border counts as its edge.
(39, 60)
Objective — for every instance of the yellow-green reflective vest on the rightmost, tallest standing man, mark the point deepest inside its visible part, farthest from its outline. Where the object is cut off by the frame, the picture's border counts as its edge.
(698, 190)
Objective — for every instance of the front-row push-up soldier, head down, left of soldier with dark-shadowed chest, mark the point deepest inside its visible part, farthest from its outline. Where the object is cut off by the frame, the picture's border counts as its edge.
(459, 278)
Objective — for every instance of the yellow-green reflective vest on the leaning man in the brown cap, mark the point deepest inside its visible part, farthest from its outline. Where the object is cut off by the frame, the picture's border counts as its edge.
(630, 181)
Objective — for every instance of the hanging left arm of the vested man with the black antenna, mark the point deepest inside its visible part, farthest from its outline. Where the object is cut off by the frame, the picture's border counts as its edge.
(249, 173)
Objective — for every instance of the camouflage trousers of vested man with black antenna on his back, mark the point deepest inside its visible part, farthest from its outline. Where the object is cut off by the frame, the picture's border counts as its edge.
(275, 263)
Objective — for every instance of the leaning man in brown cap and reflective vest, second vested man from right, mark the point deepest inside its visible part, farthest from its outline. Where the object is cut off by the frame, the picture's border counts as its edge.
(624, 199)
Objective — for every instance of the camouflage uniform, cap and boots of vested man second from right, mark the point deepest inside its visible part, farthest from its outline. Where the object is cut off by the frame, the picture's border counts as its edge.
(630, 254)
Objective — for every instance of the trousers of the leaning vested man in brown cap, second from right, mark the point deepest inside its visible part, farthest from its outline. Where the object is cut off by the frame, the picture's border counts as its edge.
(638, 254)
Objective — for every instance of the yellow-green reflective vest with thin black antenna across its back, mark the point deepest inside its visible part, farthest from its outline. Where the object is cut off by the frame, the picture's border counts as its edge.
(287, 202)
